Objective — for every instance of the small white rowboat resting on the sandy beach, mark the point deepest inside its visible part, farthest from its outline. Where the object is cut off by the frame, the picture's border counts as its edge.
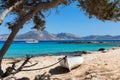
(71, 62)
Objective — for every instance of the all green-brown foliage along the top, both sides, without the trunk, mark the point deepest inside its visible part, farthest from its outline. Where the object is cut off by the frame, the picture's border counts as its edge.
(101, 9)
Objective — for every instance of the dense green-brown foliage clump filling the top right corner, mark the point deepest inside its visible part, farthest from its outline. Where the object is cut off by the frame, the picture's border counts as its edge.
(102, 9)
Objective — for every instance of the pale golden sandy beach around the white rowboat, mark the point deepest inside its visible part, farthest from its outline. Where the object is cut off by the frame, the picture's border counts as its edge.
(96, 66)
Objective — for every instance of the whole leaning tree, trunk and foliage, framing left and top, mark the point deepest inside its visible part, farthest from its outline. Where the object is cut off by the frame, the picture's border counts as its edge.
(34, 10)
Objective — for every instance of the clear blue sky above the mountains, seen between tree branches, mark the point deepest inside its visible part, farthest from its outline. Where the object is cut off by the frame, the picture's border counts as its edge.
(72, 19)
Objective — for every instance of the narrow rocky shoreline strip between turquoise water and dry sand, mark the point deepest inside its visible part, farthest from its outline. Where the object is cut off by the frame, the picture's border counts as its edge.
(71, 53)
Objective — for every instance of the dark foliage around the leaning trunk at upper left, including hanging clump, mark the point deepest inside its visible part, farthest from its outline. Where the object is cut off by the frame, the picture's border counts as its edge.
(23, 8)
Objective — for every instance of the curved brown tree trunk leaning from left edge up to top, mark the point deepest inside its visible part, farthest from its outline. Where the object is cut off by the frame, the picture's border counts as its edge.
(21, 22)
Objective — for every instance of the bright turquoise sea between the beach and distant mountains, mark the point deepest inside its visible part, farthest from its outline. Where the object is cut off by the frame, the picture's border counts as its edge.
(21, 48)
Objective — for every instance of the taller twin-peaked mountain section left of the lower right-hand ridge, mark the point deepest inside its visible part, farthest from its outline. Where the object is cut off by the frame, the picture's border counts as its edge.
(45, 35)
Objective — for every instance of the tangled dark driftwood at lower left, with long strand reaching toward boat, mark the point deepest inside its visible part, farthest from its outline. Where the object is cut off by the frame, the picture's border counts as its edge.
(10, 71)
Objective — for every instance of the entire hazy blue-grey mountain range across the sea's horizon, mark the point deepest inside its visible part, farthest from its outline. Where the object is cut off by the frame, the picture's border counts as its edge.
(45, 35)
